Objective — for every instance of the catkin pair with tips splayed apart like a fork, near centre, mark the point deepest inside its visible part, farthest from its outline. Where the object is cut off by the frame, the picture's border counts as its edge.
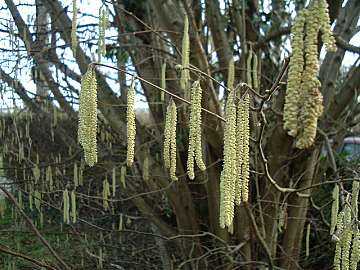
(195, 144)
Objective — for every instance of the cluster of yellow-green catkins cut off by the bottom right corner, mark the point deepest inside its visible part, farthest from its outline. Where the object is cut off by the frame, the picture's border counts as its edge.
(345, 231)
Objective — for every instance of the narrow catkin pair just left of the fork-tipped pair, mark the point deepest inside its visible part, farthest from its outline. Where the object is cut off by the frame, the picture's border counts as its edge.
(170, 139)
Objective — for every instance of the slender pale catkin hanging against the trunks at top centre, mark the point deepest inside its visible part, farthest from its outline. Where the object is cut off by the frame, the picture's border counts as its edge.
(185, 58)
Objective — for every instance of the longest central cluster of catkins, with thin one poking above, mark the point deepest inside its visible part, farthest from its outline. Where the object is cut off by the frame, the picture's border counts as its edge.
(235, 175)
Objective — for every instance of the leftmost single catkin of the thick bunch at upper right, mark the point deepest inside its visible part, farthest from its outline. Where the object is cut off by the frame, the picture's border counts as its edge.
(296, 66)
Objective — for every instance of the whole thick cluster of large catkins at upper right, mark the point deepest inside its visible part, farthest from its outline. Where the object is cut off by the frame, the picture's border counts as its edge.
(303, 101)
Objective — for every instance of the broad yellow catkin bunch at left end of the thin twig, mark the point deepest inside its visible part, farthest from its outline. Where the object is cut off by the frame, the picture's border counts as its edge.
(88, 116)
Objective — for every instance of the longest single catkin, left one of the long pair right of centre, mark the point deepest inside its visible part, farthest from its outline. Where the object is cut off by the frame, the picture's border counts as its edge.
(228, 175)
